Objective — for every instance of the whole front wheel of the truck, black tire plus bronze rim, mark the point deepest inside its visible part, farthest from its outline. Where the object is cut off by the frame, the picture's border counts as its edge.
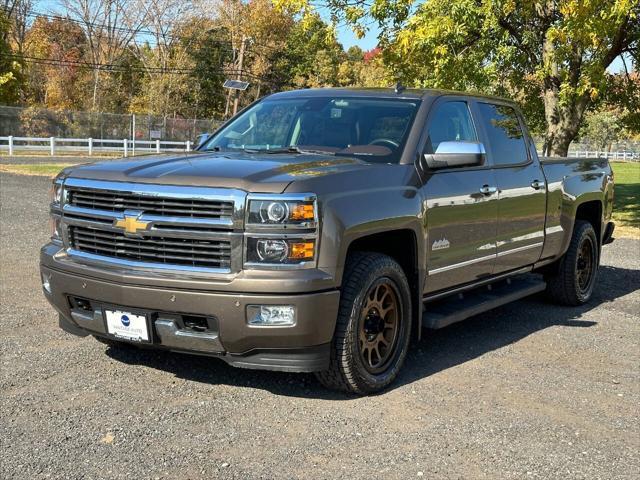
(351, 367)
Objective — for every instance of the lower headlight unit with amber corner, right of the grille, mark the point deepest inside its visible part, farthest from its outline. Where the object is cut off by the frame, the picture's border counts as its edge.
(280, 251)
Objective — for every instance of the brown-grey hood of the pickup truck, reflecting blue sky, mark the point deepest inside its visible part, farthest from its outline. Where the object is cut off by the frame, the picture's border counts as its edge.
(264, 173)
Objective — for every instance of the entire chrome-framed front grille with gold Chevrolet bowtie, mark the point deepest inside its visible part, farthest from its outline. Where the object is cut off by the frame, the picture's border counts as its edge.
(182, 228)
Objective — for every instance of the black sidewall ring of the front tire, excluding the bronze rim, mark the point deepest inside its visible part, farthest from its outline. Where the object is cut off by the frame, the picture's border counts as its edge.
(369, 381)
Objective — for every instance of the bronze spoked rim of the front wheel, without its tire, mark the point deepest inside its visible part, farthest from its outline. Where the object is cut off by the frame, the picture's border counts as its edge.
(379, 325)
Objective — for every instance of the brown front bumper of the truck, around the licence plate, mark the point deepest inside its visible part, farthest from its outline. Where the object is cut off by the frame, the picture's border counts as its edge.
(303, 347)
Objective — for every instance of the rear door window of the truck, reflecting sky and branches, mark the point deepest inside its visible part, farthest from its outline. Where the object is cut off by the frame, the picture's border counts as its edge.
(504, 133)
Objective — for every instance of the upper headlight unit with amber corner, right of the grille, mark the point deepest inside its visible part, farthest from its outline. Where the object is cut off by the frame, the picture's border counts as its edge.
(298, 212)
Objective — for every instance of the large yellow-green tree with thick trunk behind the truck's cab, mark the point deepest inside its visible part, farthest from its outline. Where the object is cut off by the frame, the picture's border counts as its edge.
(559, 49)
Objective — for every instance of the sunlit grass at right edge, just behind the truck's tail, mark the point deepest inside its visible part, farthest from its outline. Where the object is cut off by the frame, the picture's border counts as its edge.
(626, 210)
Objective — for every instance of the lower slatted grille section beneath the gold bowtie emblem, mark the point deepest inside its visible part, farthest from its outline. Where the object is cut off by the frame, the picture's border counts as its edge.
(165, 250)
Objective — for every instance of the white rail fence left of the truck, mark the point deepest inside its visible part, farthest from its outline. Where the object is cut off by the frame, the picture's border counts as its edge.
(55, 145)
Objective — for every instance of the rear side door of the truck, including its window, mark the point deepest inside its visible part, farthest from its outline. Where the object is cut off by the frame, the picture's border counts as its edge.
(521, 186)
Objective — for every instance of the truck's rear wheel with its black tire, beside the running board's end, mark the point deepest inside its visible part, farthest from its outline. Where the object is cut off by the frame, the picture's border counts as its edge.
(569, 283)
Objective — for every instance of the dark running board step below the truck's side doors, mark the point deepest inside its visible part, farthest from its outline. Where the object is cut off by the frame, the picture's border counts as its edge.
(458, 307)
